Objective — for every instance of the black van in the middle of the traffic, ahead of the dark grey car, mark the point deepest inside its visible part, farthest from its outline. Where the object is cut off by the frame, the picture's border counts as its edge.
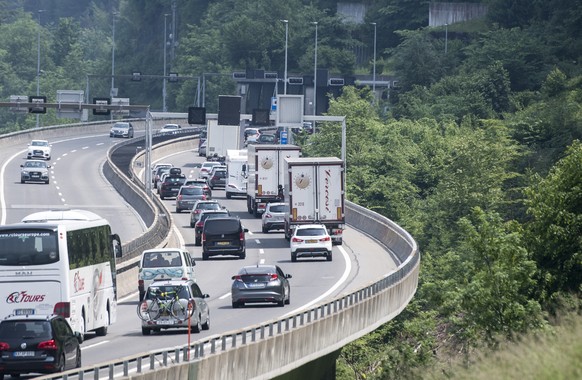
(223, 236)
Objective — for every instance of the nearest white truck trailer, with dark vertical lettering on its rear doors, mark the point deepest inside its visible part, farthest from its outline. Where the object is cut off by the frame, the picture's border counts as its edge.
(314, 191)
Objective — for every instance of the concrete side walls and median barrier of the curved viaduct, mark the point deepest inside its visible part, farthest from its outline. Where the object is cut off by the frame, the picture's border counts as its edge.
(306, 341)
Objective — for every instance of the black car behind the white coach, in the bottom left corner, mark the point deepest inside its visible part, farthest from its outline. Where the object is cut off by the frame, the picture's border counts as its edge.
(38, 344)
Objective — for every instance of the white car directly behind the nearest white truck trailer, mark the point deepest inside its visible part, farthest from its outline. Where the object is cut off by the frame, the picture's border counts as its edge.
(311, 240)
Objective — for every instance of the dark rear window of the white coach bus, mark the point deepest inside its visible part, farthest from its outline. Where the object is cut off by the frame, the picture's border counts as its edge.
(28, 247)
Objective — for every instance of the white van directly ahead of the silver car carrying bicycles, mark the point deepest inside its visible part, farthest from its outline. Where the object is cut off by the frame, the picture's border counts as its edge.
(164, 264)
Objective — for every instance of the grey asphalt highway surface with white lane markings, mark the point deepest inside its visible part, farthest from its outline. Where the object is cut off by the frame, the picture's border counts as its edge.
(77, 182)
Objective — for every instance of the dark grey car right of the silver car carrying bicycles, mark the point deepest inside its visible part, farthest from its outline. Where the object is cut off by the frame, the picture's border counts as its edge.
(260, 283)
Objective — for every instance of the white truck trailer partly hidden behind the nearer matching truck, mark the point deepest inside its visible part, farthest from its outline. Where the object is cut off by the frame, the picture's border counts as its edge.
(266, 170)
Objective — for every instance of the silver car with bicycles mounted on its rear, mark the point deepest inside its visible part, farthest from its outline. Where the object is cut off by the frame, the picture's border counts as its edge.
(168, 304)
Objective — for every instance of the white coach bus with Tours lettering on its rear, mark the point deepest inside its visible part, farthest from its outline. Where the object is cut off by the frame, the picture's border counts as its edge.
(60, 262)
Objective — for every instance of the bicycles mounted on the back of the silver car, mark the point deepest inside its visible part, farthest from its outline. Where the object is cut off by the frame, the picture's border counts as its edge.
(164, 303)
